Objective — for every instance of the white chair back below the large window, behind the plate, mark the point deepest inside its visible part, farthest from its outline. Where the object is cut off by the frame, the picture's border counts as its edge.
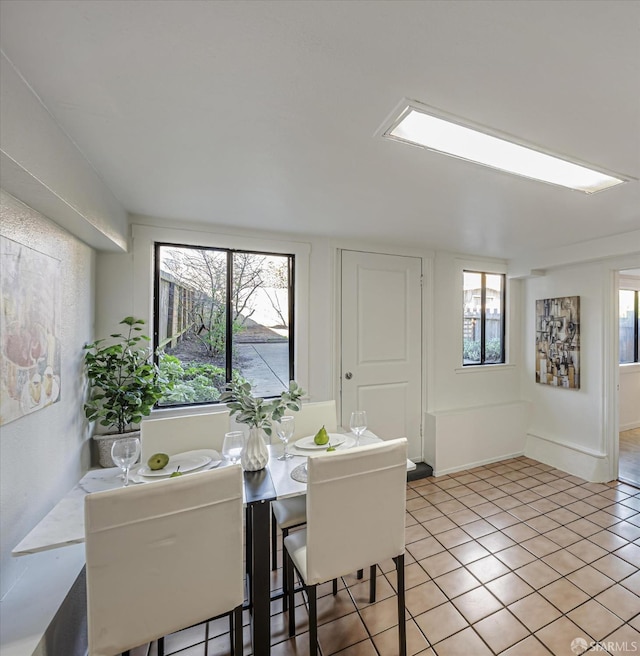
(173, 435)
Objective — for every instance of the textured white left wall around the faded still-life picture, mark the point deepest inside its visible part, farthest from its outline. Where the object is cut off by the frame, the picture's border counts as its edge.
(44, 454)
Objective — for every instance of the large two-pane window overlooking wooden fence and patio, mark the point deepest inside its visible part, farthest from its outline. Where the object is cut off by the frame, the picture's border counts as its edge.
(222, 315)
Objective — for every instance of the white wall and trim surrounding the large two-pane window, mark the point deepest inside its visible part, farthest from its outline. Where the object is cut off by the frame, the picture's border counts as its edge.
(125, 287)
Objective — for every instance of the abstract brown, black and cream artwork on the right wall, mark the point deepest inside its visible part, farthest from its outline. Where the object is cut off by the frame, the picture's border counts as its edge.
(558, 342)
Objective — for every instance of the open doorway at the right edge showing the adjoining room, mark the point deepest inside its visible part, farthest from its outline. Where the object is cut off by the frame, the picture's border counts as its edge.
(629, 378)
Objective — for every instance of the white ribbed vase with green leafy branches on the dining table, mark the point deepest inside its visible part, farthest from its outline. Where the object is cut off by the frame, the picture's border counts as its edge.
(259, 415)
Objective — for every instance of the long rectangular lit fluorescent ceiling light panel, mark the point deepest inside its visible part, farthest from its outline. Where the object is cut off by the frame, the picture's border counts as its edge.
(423, 126)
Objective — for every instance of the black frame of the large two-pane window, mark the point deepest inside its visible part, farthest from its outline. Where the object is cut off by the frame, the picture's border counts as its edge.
(291, 307)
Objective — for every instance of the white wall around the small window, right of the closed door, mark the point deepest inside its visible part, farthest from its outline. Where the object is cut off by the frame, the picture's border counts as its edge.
(475, 414)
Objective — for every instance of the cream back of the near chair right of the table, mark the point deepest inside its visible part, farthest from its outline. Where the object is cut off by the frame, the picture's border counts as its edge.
(356, 502)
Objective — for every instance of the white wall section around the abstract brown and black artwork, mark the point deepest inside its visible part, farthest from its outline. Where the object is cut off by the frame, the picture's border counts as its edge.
(573, 429)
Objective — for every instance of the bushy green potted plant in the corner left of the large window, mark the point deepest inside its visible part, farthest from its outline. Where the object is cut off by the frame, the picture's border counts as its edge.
(125, 384)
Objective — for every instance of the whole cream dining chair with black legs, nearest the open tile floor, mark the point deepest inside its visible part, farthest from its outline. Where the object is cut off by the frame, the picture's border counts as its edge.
(355, 518)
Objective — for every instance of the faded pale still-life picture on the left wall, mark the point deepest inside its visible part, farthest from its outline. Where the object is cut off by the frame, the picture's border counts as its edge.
(29, 326)
